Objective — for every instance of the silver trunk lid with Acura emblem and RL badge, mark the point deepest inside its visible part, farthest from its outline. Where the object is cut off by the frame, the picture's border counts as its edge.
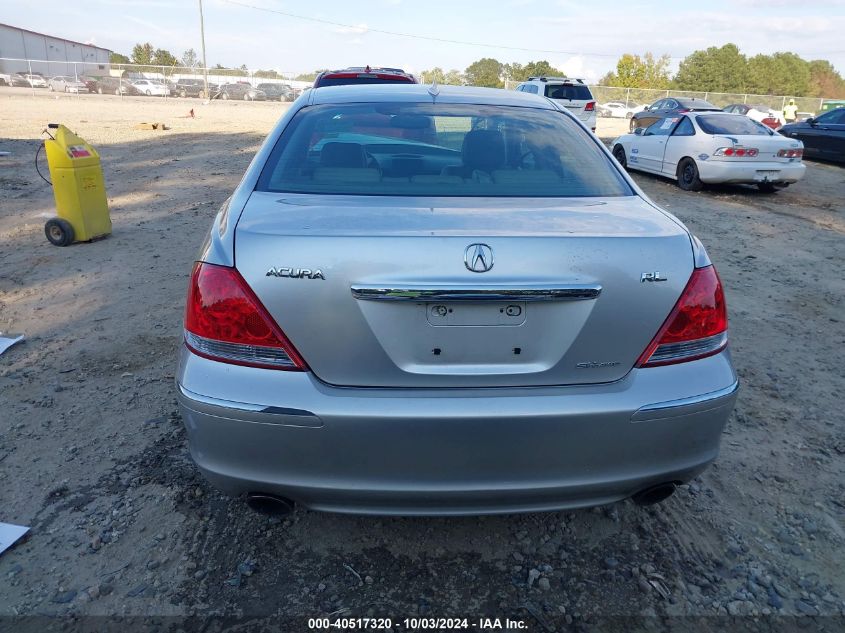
(378, 291)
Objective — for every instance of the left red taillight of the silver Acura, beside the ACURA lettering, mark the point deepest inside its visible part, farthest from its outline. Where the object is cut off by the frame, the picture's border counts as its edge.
(225, 321)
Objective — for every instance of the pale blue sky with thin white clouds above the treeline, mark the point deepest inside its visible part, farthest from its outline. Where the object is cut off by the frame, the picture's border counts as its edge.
(582, 37)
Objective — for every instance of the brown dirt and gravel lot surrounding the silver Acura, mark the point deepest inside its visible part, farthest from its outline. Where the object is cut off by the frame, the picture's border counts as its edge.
(93, 455)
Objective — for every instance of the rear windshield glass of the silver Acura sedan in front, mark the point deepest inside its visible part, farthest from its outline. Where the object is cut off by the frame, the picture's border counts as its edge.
(438, 150)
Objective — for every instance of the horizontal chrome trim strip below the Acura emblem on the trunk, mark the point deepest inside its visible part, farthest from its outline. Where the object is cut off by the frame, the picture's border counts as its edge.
(475, 293)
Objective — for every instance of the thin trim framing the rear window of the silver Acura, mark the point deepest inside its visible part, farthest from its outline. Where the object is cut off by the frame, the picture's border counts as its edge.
(624, 179)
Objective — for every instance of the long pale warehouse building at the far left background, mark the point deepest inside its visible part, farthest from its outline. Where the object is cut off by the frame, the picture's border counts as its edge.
(49, 55)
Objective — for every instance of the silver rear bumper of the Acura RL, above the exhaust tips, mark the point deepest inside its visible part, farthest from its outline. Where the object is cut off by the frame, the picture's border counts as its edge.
(462, 451)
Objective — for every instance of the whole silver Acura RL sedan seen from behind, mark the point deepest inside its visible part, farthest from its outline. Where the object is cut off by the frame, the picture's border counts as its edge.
(426, 300)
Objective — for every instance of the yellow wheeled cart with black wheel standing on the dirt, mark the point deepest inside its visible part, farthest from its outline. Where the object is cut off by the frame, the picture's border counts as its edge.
(78, 187)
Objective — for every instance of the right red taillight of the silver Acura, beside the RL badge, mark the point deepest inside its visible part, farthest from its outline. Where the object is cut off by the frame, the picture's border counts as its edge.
(697, 326)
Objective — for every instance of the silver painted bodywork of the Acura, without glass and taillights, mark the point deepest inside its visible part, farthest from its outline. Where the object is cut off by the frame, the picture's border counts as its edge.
(383, 425)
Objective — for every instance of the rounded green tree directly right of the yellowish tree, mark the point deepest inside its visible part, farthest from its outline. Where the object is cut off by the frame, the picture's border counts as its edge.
(722, 69)
